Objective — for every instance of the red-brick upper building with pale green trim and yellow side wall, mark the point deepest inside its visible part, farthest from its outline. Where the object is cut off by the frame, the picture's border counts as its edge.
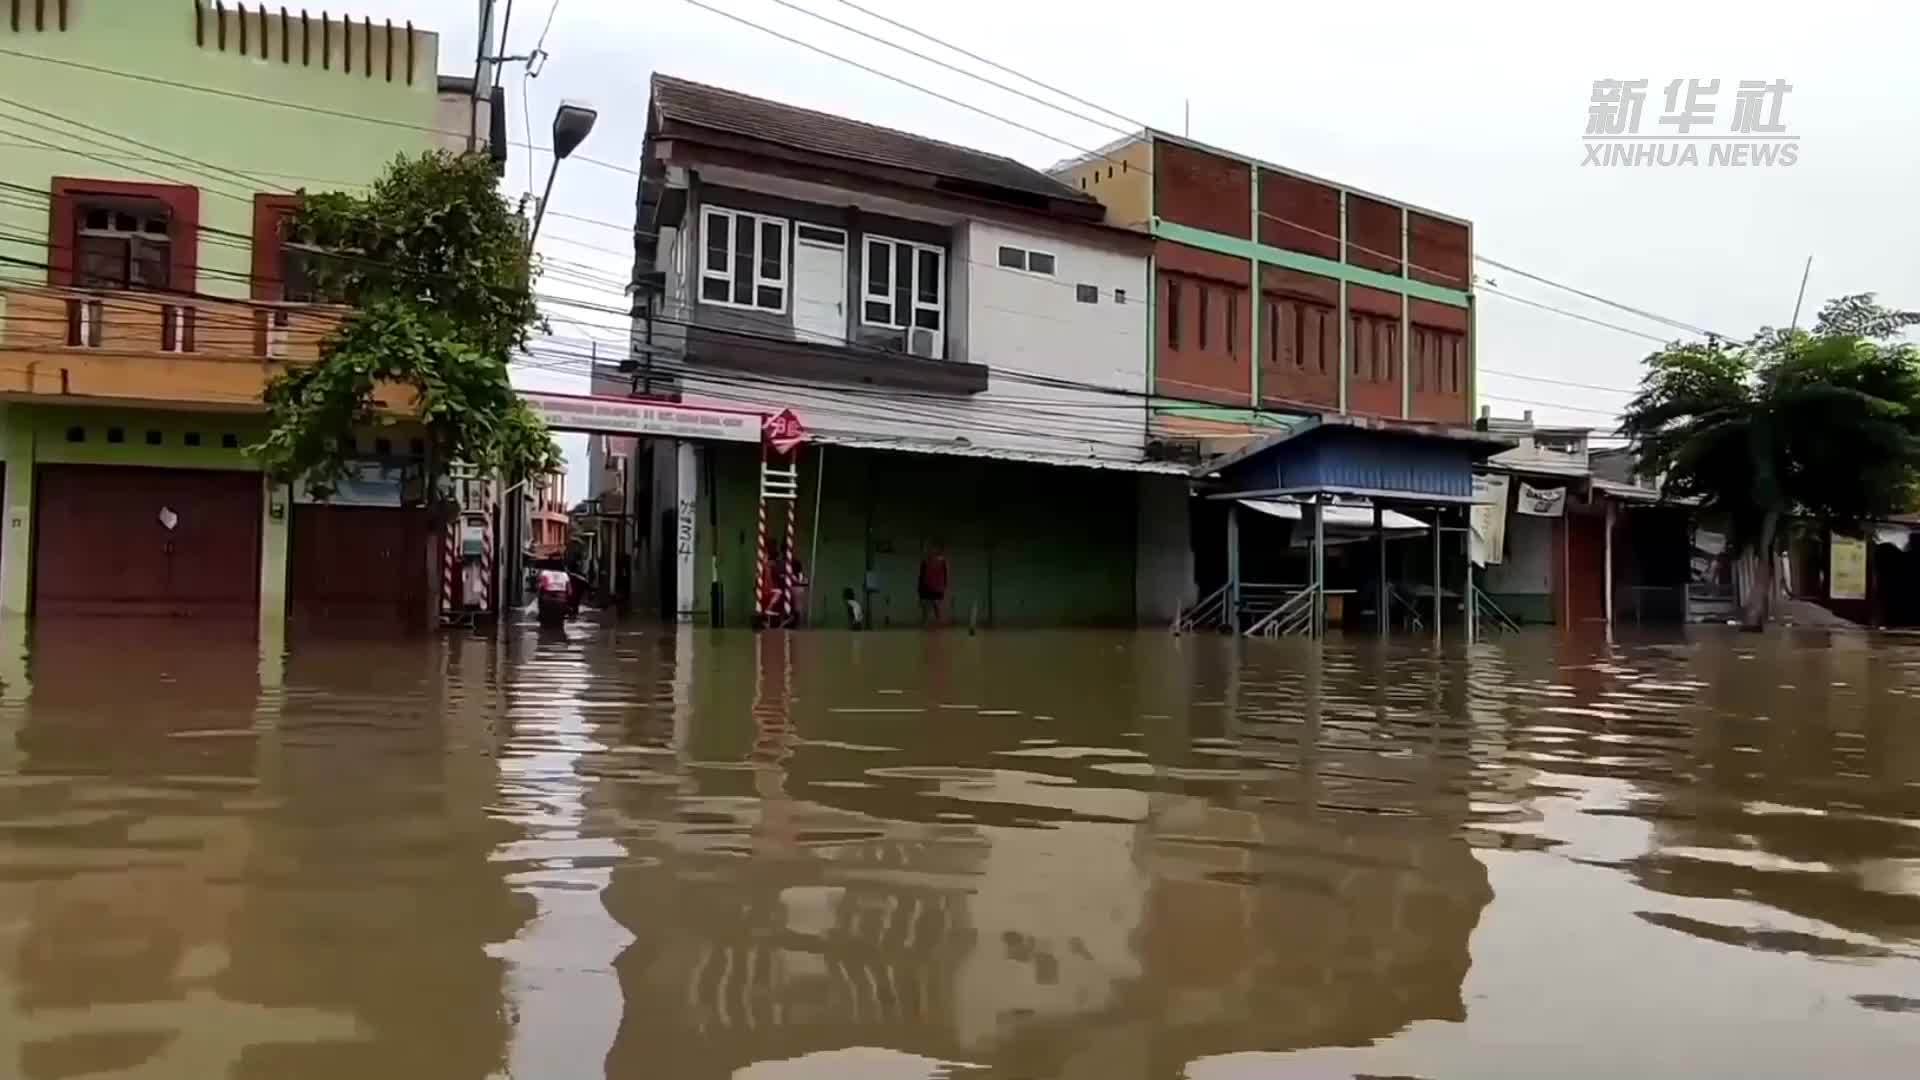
(1282, 295)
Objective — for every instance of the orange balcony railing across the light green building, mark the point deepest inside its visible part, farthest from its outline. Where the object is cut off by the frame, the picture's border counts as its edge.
(128, 322)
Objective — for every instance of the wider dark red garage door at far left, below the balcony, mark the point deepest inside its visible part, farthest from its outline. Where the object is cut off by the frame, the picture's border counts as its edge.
(112, 541)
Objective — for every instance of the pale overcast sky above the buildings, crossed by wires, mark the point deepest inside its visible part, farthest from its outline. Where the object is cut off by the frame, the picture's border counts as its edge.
(1472, 109)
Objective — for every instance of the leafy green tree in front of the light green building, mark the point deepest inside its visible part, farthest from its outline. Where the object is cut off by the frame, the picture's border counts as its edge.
(435, 268)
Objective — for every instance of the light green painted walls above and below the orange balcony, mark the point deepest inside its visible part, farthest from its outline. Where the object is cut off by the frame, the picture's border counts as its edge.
(128, 130)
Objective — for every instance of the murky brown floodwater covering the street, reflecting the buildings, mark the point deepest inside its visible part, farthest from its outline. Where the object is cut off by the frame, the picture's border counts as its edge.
(686, 854)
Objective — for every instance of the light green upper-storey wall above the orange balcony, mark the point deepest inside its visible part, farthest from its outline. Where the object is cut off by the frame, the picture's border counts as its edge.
(279, 149)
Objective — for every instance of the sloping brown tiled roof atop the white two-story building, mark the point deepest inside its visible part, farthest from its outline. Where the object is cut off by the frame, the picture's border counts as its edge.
(840, 137)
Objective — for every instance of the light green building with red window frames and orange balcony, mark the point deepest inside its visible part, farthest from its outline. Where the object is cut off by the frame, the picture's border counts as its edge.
(151, 153)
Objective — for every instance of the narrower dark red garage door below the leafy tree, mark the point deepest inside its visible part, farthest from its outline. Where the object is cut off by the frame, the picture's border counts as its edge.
(360, 566)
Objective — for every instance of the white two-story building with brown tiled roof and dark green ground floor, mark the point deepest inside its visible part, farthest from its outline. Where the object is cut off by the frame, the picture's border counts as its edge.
(963, 337)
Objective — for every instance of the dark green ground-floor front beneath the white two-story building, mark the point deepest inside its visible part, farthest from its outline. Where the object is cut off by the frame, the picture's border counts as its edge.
(1026, 545)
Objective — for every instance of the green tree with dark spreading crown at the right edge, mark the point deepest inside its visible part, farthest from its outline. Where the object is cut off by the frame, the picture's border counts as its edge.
(1821, 426)
